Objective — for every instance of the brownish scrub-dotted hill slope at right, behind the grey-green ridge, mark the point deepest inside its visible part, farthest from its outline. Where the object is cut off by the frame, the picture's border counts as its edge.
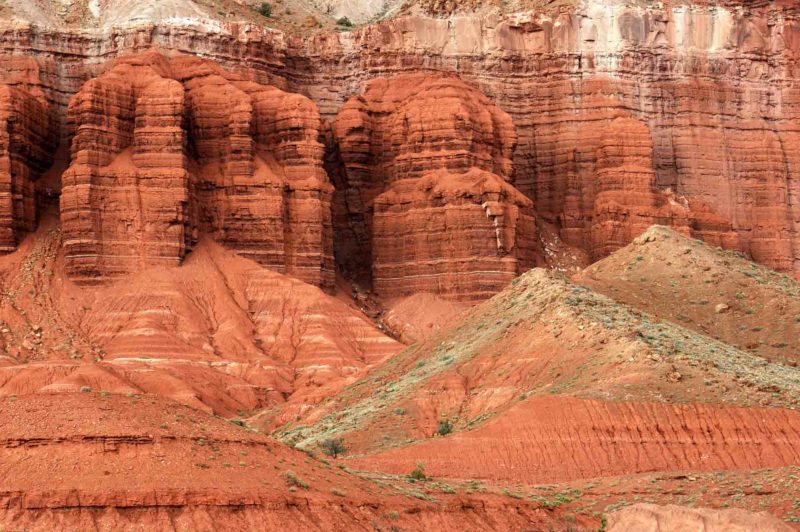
(712, 291)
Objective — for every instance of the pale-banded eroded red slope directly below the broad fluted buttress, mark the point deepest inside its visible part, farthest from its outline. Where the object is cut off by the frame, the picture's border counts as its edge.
(219, 333)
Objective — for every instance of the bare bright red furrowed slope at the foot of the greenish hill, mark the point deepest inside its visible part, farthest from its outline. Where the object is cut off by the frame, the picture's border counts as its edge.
(557, 439)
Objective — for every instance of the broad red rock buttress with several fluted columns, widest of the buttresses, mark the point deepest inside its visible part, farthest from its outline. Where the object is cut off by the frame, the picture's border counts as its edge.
(165, 148)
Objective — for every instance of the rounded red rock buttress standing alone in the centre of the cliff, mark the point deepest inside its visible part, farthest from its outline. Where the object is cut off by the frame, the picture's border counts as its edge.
(425, 189)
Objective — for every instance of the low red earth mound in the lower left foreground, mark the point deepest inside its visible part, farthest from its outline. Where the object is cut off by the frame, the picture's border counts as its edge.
(96, 461)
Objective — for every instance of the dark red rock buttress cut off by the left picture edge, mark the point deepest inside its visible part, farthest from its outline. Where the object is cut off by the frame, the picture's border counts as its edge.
(26, 150)
